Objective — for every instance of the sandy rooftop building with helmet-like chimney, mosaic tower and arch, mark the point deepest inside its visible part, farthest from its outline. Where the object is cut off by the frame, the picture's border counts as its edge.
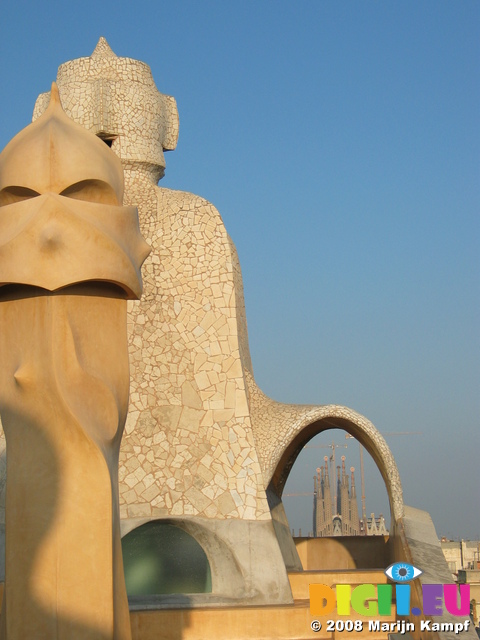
(144, 466)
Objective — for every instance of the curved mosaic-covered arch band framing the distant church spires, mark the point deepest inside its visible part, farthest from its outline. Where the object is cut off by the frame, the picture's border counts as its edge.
(317, 419)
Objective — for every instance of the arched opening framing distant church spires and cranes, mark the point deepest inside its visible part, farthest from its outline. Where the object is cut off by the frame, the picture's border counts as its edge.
(337, 505)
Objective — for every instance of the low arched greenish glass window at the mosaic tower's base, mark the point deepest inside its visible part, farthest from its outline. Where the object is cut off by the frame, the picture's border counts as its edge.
(160, 558)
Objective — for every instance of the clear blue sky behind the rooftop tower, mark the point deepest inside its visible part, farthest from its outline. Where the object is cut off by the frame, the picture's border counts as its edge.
(340, 142)
